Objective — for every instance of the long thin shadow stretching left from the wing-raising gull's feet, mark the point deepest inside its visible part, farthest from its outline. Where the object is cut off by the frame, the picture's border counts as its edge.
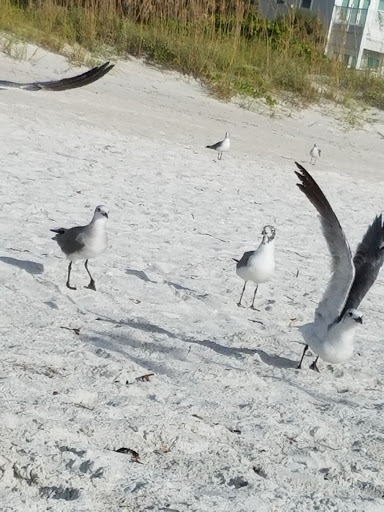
(145, 326)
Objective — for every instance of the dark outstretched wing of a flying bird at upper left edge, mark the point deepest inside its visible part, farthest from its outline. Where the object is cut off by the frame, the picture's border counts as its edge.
(65, 83)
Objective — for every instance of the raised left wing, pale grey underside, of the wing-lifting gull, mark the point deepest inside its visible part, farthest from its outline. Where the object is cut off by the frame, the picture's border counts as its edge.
(342, 267)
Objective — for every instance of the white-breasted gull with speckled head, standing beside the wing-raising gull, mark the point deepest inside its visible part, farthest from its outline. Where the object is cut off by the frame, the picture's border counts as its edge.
(258, 266)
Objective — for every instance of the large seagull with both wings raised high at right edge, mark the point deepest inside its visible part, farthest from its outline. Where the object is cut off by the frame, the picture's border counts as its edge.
(332, 332)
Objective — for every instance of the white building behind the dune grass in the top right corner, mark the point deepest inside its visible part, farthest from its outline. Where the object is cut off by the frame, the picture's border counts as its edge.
(355, 28)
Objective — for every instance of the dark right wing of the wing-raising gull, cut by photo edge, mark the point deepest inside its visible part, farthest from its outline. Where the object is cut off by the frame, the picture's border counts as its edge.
(368, 261)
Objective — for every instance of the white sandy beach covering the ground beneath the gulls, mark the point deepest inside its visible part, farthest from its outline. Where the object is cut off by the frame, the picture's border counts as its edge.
(226, 423)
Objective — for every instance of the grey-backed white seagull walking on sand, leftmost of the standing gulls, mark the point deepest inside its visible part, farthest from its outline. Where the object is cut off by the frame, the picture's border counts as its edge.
(84, 242)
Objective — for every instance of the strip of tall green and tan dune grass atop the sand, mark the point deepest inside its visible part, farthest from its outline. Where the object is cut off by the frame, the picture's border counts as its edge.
(228, 45)
